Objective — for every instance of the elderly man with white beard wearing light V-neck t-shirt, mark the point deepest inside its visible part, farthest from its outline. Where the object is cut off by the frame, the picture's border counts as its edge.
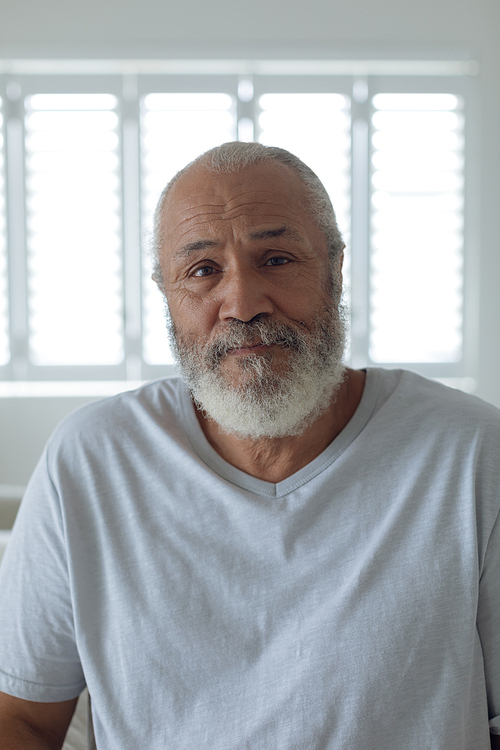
(274, 551)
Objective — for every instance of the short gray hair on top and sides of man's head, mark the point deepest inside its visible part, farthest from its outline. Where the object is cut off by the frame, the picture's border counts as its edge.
(235, 156)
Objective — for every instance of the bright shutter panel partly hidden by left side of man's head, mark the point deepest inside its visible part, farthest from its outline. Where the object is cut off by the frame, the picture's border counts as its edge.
(176, 128)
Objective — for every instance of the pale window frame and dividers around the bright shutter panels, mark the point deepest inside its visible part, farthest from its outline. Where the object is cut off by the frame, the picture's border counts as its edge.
(129, 86)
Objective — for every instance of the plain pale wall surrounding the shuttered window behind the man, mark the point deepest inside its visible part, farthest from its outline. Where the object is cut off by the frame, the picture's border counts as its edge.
(327, 28)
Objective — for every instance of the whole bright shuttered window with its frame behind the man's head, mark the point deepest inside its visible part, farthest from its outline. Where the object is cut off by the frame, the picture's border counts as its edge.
(84, 157)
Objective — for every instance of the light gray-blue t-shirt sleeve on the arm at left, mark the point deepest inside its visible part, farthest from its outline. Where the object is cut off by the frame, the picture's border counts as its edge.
(38, 654)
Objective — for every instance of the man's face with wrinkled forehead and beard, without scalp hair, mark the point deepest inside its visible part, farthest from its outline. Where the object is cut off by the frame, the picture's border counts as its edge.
(249, 286)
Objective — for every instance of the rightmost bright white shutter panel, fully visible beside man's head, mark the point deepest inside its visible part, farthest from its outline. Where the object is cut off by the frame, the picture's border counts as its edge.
(416, 259)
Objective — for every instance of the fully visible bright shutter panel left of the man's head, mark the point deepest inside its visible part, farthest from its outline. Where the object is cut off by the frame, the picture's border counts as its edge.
(73, 229)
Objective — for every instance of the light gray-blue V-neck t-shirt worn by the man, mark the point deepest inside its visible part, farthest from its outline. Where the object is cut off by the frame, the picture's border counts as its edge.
(355, 604)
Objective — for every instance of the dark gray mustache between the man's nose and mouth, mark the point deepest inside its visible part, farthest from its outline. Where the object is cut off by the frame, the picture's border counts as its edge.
(240, 333)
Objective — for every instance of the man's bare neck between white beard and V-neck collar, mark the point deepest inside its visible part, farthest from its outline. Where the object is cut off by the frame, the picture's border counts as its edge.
(275, 459)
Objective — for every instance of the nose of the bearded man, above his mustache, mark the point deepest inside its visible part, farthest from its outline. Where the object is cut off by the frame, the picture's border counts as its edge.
(244, 296)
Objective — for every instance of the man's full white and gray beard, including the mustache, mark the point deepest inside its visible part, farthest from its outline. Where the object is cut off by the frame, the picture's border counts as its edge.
(265, 403)
